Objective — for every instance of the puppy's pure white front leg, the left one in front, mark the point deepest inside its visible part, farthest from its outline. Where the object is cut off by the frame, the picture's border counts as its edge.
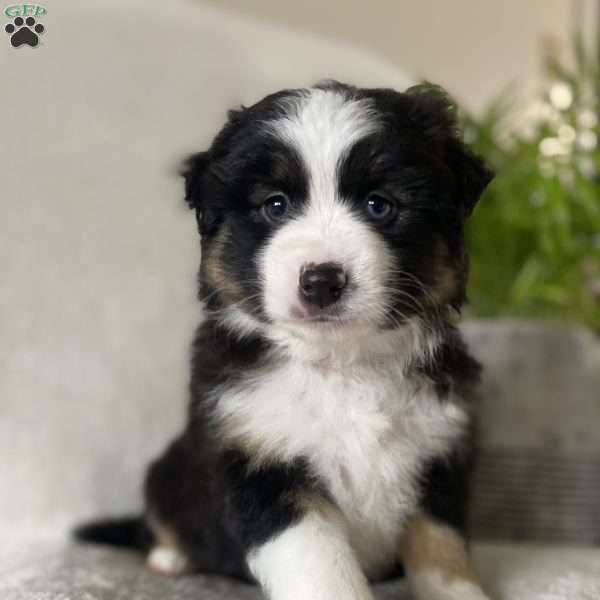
(310, 560)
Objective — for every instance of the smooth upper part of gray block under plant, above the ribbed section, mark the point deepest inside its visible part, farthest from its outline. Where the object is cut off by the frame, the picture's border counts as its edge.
(541, 387)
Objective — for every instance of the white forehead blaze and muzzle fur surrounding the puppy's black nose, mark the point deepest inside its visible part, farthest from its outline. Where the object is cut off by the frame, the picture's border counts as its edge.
(322, 126)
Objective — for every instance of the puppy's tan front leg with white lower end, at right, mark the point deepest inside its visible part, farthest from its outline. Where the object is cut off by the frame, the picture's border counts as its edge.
(436, 562)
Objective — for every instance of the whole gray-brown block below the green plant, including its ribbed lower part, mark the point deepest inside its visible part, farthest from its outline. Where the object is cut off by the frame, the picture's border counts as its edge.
(538, 471)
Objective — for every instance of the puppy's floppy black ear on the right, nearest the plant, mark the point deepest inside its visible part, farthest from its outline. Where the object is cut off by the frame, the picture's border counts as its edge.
(436, 115)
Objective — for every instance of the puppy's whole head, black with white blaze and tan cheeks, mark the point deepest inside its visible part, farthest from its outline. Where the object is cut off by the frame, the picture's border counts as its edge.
(335, 209)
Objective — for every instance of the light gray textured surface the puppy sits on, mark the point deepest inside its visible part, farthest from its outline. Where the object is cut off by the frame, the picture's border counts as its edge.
(70, 572)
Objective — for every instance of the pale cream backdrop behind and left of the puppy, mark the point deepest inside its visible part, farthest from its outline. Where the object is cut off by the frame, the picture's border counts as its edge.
(98, 253)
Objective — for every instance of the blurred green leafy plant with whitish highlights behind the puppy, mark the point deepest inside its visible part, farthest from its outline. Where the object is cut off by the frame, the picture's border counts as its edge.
(535, 235)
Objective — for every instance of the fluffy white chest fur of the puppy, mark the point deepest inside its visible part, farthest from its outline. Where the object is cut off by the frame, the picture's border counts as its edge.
(366, 431)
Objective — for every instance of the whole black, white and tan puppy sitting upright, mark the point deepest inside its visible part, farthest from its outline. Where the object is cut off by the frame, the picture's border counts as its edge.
(329, 433)
